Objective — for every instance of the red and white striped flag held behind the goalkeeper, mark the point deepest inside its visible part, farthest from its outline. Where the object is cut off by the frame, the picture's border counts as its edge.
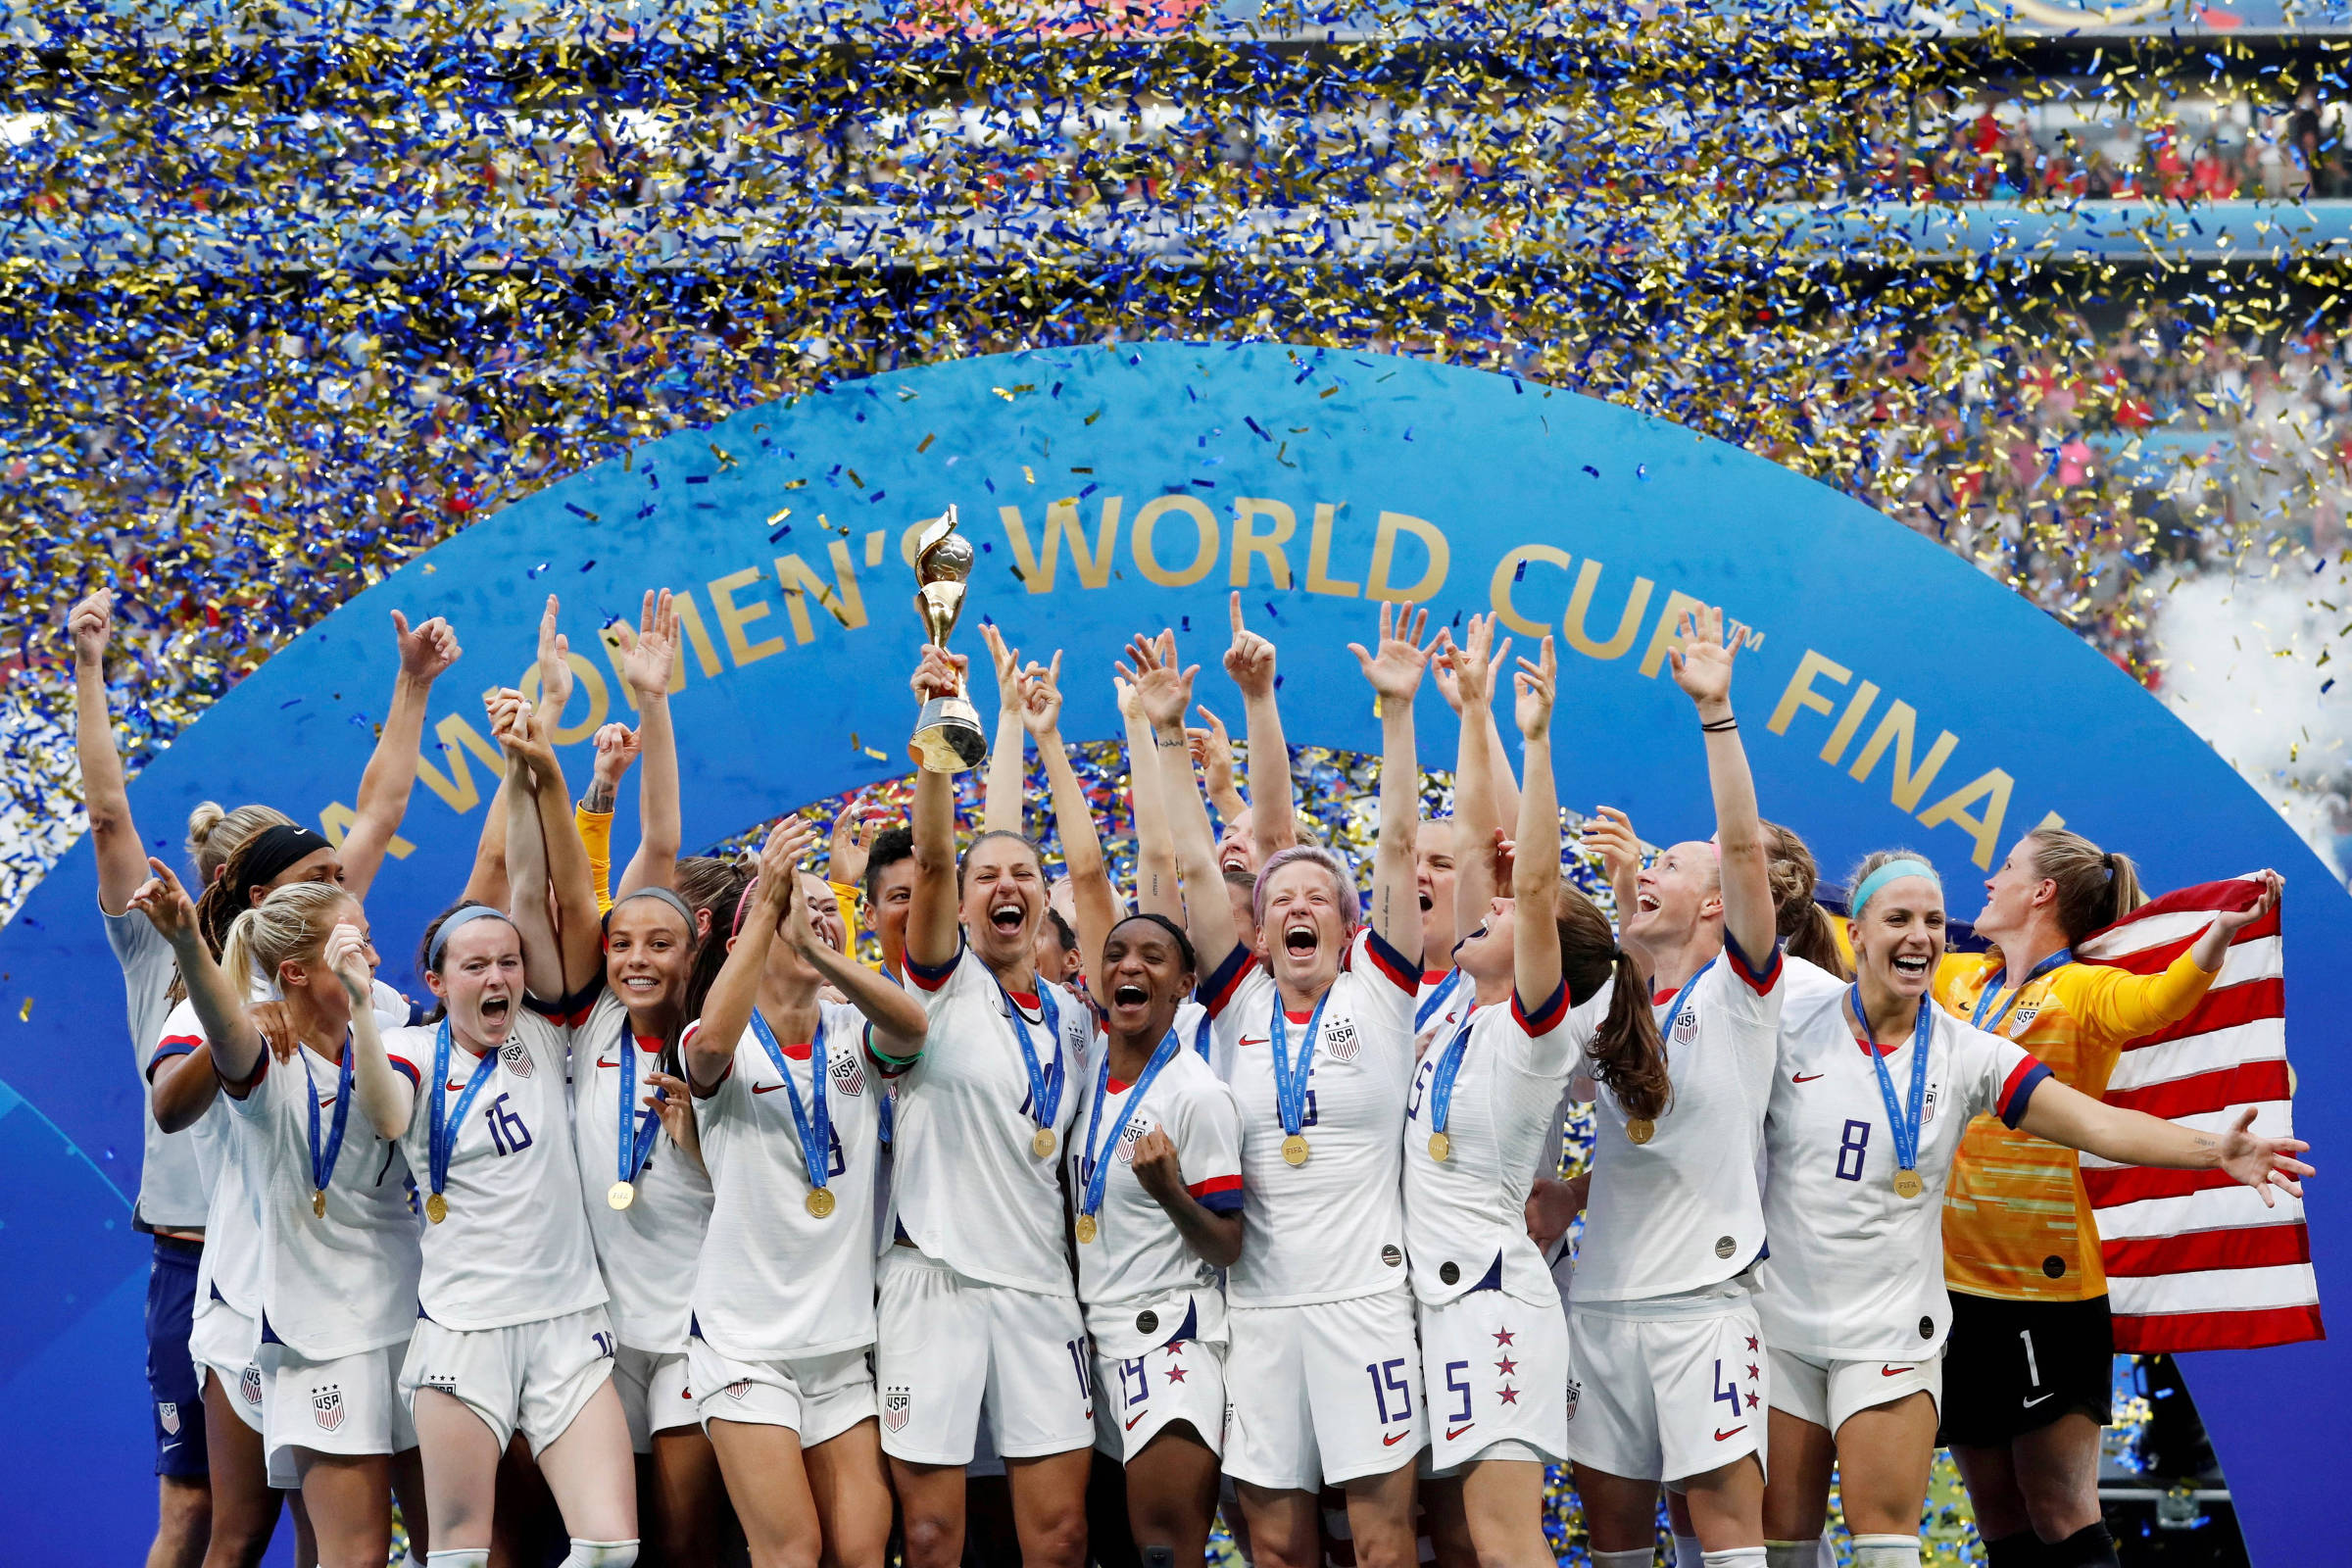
(2193, 1259)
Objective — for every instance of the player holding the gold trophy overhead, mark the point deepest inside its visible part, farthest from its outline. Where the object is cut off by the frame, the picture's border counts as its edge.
(977, 1306)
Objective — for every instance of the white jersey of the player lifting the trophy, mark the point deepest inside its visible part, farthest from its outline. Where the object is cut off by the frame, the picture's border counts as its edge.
(968, 1184)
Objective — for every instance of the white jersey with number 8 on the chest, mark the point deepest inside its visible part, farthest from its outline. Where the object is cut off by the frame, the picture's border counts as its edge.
(1857, 1271)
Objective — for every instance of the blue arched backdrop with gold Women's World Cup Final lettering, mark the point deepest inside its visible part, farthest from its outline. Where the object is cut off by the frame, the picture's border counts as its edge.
(1890, 692)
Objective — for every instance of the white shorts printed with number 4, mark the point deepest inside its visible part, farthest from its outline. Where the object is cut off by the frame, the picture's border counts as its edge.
(1662, 1398)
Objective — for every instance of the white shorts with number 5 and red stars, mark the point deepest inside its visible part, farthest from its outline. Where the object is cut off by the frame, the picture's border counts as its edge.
(1495, 1374)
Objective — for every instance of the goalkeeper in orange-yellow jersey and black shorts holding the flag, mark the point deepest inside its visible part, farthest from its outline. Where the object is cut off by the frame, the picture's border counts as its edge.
(2033, 1346)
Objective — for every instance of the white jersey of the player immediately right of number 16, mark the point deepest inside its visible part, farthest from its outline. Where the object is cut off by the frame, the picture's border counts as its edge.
(648, 1249)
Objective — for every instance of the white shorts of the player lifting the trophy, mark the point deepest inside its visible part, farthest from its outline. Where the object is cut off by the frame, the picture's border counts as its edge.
(949, 1346)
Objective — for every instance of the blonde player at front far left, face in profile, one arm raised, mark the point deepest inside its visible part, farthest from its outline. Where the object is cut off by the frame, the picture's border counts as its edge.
(338, 1247)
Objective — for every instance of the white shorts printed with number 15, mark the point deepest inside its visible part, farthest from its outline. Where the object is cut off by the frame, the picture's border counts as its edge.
(1325, 1393)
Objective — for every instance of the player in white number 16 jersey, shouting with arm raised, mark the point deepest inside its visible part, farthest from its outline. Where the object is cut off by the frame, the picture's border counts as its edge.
(512, 1329)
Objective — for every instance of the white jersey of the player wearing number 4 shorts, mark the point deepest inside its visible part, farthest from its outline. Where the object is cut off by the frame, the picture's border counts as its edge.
(1685, 1212)
